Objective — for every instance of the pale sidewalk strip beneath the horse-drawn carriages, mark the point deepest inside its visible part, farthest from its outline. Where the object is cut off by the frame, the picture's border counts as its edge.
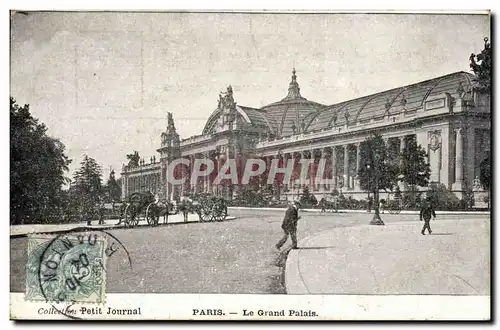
(21, 230)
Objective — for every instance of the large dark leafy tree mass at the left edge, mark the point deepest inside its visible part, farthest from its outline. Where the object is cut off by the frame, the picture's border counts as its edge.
(37, 167)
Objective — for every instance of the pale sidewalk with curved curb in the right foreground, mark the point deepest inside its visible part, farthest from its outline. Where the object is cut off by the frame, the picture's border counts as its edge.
(394, 259)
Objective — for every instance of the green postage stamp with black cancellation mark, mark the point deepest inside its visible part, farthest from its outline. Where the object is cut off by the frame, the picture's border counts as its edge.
(66, 268)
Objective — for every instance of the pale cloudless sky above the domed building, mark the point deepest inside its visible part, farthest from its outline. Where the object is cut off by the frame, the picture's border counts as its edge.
(104, 82)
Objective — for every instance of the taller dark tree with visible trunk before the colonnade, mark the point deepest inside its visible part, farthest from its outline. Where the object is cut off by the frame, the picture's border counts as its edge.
(376, 172)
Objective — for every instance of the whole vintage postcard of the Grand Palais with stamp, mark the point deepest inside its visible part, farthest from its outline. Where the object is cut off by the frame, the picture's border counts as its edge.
(202, 165)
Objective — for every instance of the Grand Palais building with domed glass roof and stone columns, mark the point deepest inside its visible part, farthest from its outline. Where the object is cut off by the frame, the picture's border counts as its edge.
(445, 115)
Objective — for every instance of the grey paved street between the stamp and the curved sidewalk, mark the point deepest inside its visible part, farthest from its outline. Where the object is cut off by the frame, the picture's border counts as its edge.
(235, 256)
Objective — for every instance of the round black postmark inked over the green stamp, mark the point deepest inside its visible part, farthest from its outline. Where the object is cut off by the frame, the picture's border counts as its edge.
(72, 268)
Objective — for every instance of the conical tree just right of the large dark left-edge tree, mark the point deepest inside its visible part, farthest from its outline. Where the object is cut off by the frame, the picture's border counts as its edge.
(87, 185)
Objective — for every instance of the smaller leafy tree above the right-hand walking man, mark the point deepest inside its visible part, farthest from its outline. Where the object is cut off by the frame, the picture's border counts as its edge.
(415, 170)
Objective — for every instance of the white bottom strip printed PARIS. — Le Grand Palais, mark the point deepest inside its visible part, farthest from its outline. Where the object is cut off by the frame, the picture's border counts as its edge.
(326, 307)
